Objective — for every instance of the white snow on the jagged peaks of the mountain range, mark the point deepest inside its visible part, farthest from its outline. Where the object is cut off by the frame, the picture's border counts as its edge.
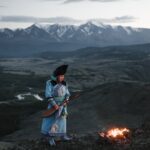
(87, 28)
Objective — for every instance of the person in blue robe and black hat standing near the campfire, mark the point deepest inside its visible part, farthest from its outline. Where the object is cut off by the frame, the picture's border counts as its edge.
(56, 92)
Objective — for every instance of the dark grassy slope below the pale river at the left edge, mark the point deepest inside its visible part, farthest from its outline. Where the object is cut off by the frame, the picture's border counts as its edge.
(11, 114)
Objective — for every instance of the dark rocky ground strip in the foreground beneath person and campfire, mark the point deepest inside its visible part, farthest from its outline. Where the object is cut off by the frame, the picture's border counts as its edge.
(138, 140)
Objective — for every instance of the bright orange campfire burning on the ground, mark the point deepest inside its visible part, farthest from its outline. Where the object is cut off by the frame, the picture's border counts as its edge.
(117, 135)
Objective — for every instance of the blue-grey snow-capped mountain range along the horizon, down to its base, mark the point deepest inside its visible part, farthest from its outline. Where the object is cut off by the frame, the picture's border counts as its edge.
(40, 38)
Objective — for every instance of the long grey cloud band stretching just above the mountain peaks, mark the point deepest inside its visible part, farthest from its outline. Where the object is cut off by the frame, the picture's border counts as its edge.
(65, 20)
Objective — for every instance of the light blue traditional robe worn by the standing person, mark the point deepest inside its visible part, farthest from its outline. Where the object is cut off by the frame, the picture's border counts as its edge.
(55, 125)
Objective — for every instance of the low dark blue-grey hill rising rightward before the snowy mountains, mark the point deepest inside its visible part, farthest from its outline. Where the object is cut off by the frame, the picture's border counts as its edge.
(129, 52)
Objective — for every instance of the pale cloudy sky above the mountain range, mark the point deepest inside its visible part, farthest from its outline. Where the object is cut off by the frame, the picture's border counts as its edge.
(23, 13)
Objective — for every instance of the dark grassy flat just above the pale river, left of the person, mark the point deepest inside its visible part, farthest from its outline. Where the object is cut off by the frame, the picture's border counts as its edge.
(13, 84)
